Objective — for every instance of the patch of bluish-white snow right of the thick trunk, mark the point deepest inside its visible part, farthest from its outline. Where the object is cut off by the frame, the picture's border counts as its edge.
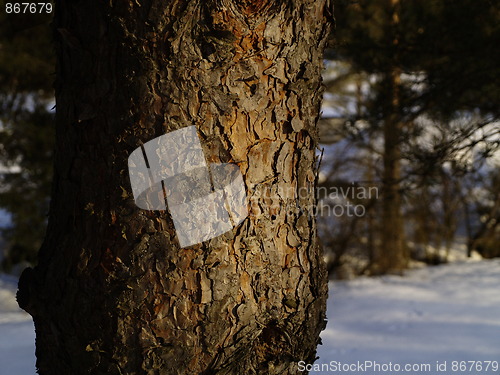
(442, 313)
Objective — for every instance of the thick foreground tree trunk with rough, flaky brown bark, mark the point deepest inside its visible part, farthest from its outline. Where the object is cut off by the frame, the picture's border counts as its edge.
(113, 293)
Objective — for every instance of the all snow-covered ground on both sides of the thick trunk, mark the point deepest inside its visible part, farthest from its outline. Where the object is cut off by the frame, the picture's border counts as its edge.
(433, 316)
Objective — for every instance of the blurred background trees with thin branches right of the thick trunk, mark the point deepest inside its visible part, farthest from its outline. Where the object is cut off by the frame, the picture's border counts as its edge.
(413, 93)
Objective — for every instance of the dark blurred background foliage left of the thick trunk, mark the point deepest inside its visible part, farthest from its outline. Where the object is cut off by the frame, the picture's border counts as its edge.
(26, 133)
